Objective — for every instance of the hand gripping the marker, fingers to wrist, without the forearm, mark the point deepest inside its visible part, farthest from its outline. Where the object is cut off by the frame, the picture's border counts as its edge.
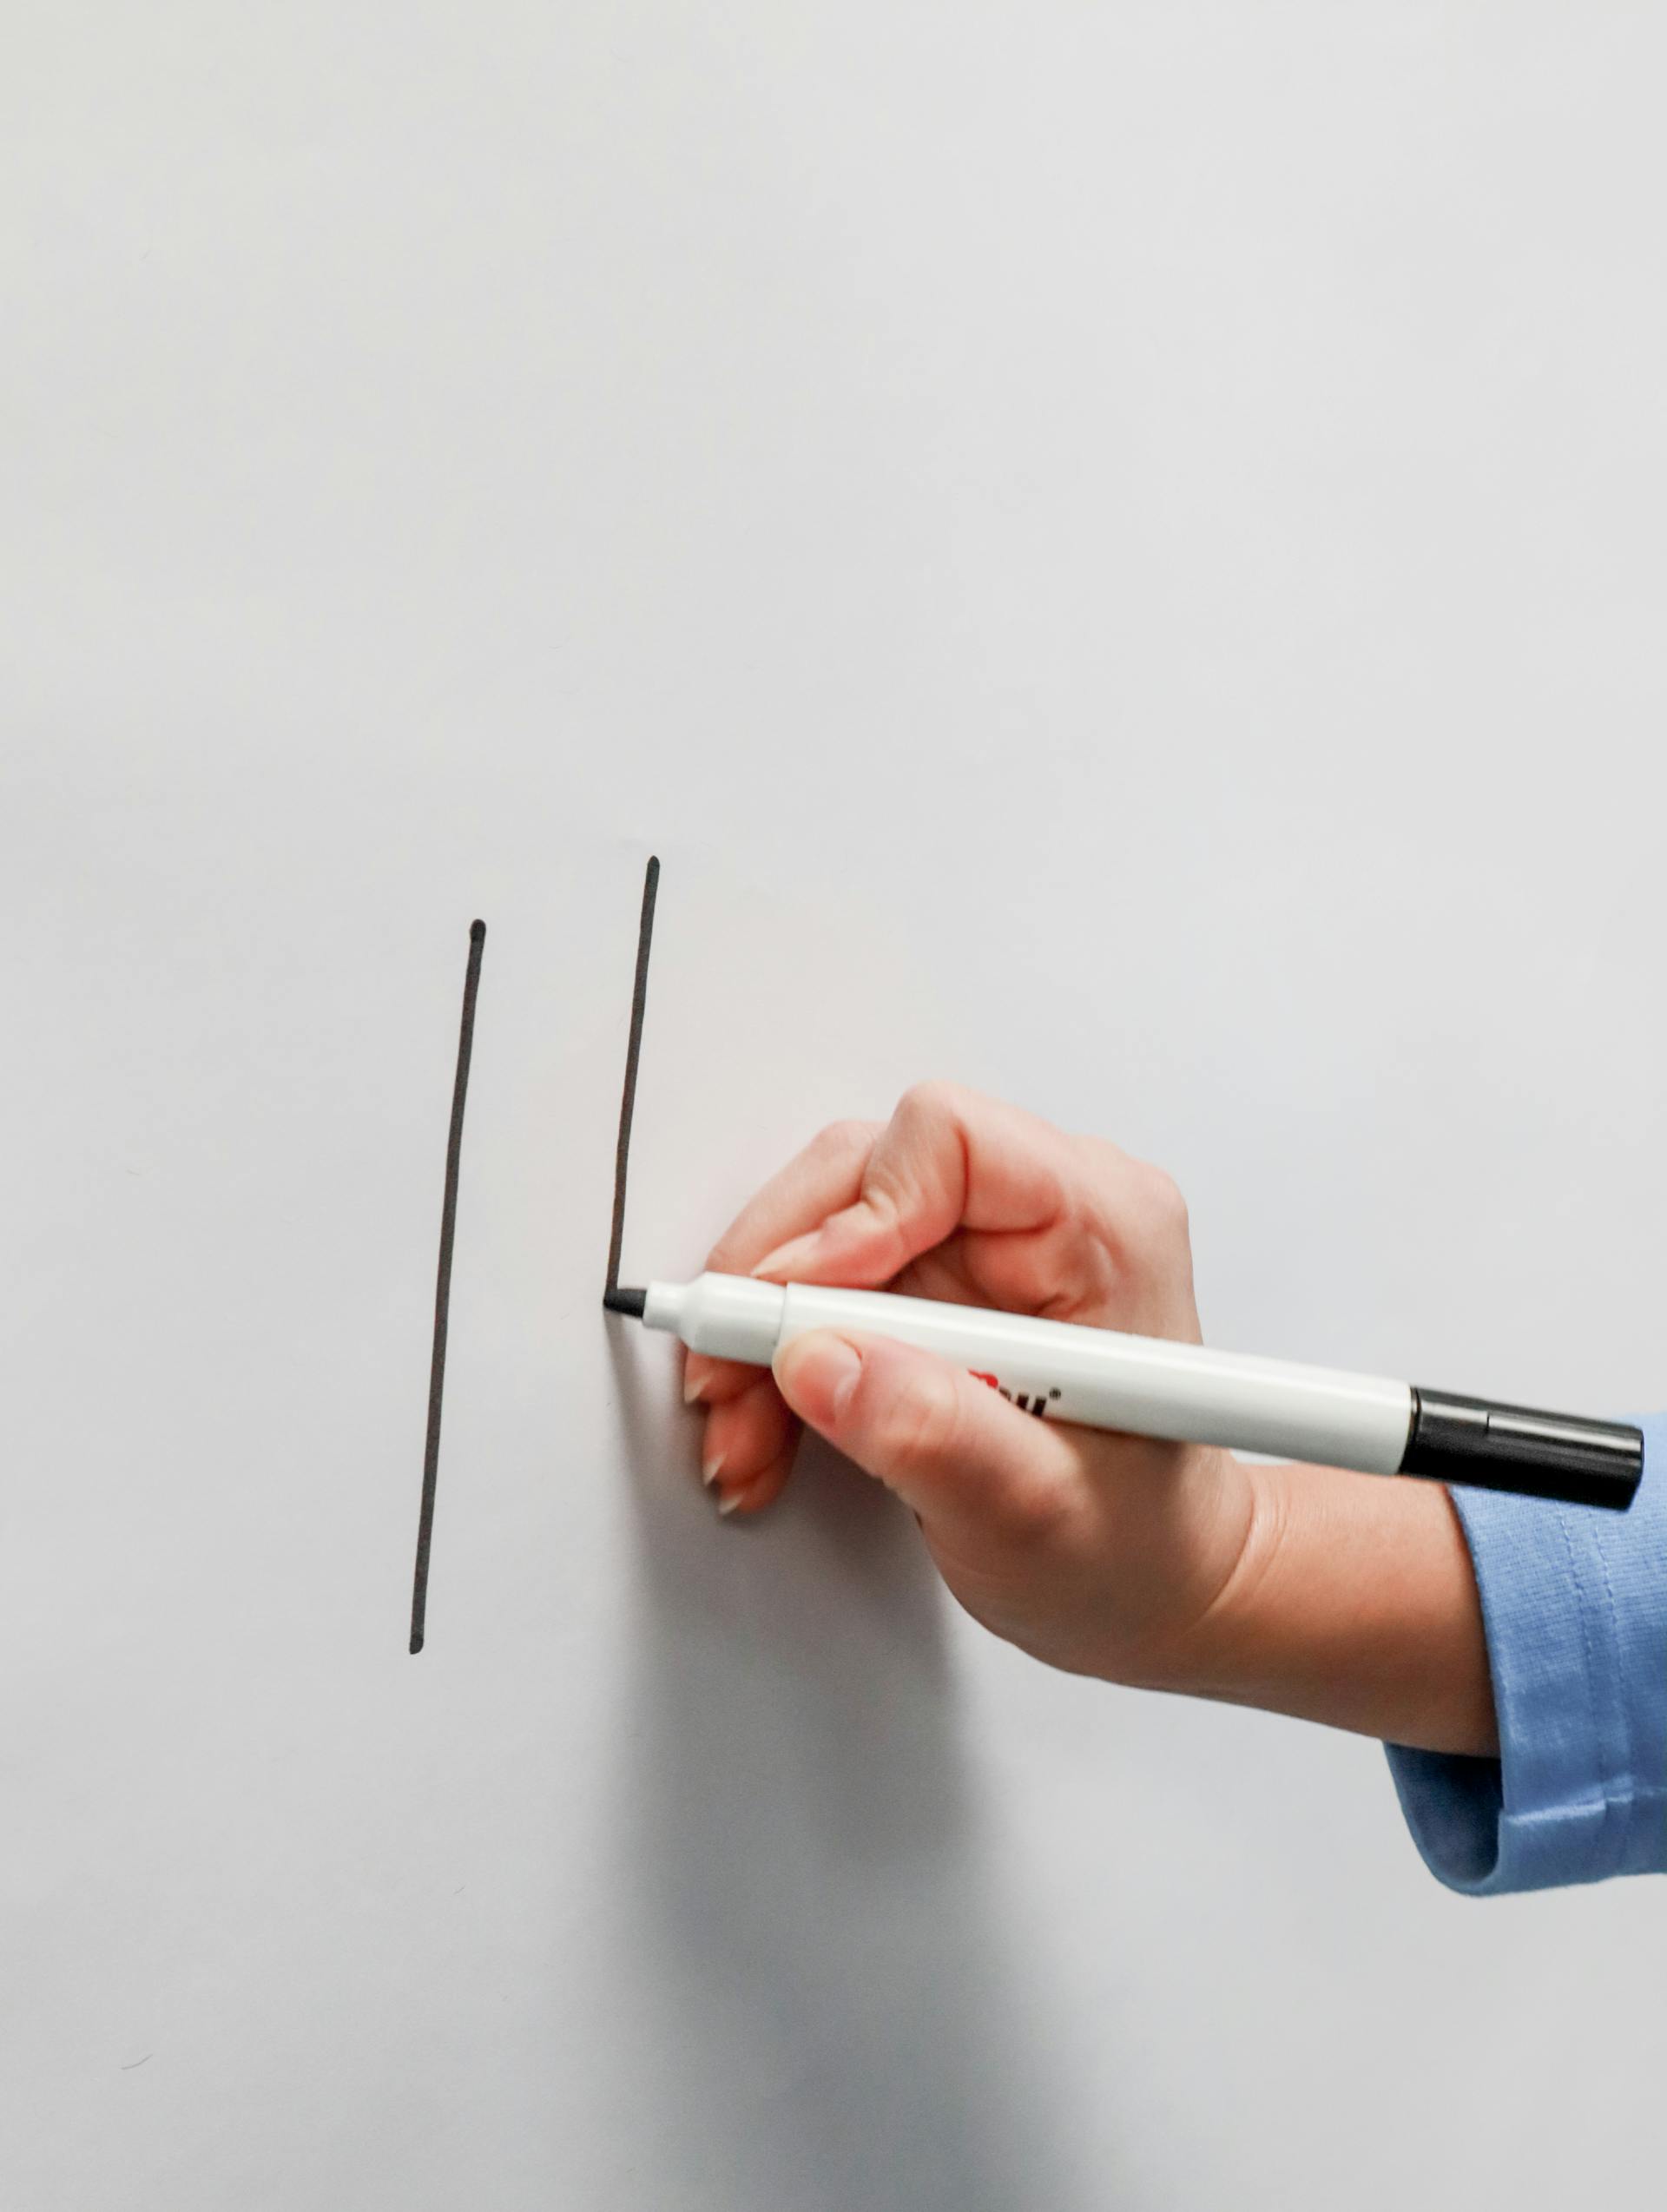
(1100, 1554)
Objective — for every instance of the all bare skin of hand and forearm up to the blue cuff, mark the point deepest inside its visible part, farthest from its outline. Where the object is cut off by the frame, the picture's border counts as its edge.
(1171, 1567)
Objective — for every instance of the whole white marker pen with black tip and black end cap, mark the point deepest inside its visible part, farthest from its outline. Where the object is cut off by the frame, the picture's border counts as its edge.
(1193, 1395)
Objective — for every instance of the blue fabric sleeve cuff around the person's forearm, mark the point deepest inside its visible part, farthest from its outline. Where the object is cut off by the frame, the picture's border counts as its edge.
(1575, 1607)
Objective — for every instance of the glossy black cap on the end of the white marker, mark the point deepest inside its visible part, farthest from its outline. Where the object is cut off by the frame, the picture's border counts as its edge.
(1513, 1448)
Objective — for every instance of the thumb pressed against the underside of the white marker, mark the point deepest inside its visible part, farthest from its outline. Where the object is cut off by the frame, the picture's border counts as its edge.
(956, 1452)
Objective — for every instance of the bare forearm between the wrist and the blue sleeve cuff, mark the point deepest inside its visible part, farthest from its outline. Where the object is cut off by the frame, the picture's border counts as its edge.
(1354, 1603)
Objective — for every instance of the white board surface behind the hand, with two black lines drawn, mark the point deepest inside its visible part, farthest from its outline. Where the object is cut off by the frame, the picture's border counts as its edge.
(1115, 559)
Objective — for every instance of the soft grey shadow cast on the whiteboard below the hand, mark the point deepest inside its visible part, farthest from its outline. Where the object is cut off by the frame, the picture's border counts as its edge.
(824, 2014)
